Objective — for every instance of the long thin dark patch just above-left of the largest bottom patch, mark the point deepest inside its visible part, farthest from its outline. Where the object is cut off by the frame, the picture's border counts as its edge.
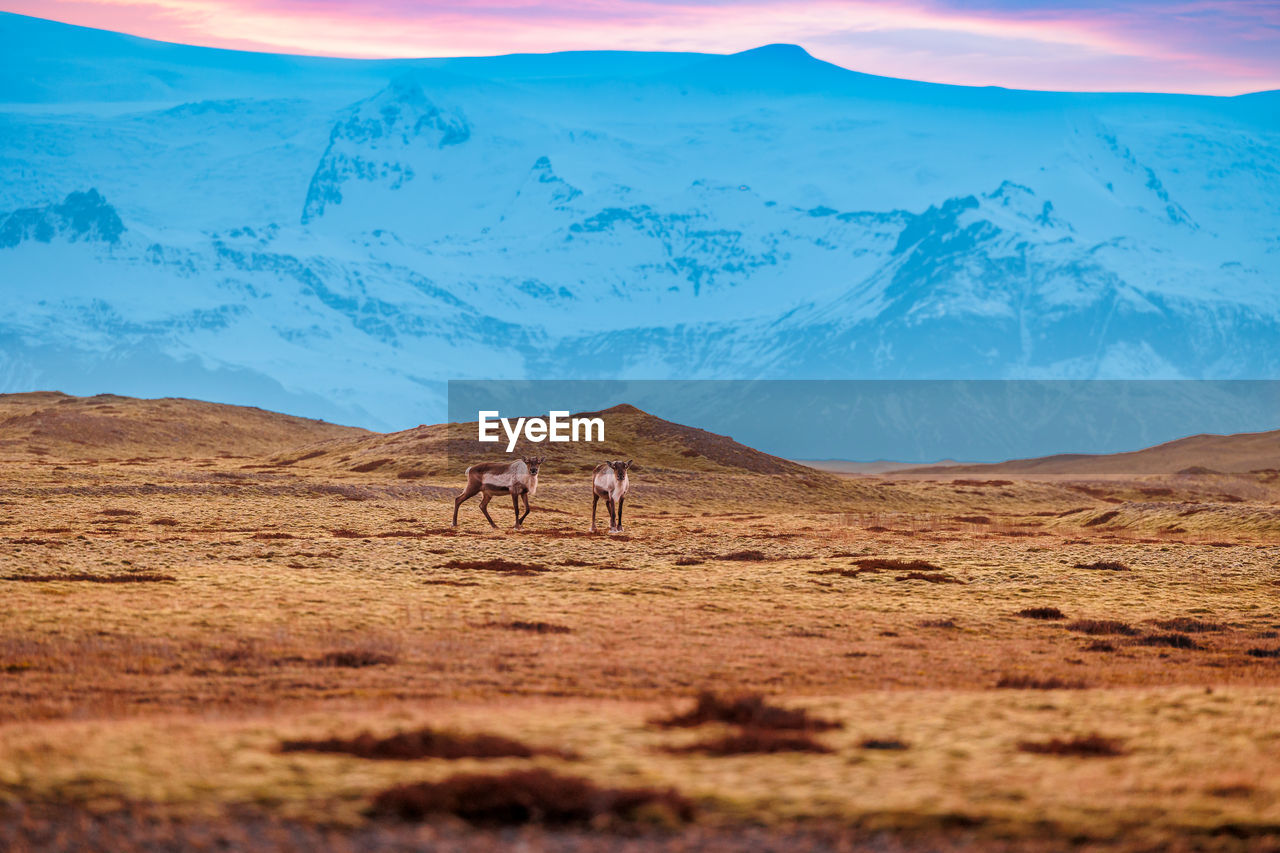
(423, 743)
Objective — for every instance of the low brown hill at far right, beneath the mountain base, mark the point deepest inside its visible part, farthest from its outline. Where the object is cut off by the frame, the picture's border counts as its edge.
(1228, 454)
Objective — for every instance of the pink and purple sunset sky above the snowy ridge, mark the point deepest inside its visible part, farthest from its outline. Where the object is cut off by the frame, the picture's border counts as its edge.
(1200, 47)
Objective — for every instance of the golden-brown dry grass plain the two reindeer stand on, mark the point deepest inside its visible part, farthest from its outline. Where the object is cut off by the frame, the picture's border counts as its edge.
(226, 627)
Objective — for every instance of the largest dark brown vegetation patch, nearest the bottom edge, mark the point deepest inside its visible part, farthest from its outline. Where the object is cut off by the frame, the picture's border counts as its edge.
(532, 797)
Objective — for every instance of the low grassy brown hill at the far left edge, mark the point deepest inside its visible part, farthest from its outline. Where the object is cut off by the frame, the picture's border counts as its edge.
(51, 423)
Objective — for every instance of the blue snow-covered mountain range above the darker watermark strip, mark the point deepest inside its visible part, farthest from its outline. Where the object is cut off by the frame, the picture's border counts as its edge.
(337, 239)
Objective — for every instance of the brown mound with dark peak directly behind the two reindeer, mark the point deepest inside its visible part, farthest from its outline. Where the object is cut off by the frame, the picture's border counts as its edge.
(446, 450)
